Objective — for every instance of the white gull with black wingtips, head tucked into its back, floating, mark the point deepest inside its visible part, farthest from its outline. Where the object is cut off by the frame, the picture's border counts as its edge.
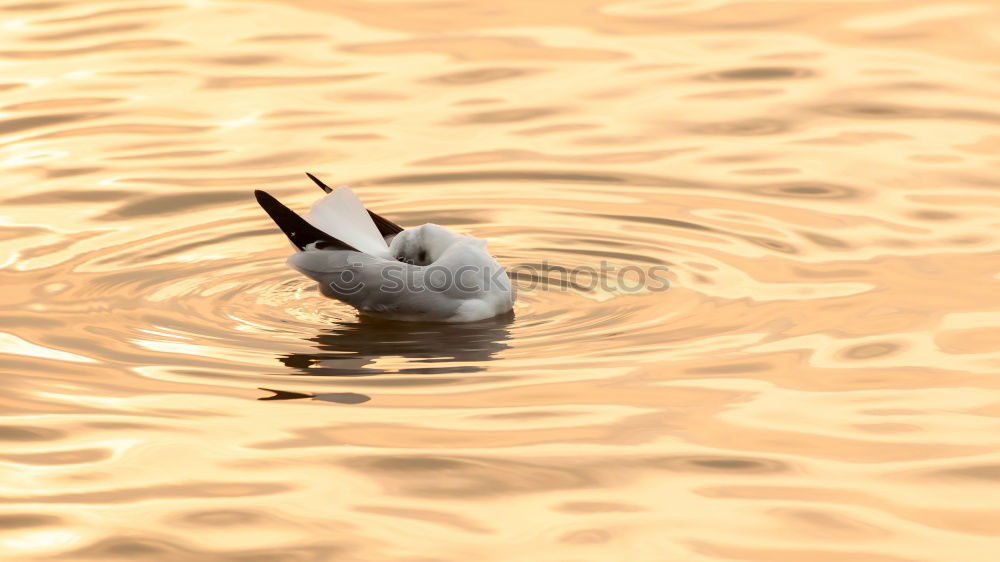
(426, 273)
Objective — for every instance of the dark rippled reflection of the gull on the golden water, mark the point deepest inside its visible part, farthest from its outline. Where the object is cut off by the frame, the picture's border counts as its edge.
(351, 349)
